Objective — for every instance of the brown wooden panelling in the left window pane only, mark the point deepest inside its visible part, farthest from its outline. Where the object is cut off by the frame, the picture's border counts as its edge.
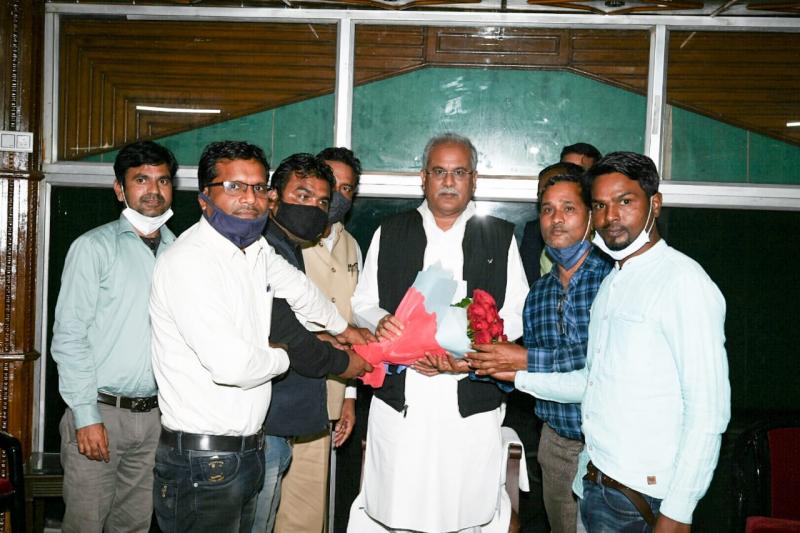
(108, 67)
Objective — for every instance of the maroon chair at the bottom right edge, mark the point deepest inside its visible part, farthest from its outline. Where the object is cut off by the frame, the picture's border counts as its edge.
(768, 477)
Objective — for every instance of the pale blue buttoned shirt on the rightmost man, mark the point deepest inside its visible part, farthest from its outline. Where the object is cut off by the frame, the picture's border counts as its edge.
(655, 389)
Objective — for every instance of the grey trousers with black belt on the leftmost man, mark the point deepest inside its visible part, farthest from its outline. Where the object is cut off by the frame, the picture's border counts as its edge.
(116, 496)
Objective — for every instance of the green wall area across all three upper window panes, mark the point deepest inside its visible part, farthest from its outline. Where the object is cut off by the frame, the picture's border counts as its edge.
(518, 120)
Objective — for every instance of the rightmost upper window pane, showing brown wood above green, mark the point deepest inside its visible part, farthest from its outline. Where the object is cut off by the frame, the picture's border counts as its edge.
(732, 95)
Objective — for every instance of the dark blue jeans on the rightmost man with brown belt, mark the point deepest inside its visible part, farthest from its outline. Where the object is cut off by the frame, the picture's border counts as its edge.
(606, 510)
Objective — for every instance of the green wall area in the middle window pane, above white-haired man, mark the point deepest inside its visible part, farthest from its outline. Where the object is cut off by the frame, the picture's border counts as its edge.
(518, 119)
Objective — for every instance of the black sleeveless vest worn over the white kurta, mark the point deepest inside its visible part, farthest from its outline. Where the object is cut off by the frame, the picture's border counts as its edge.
(402, 248)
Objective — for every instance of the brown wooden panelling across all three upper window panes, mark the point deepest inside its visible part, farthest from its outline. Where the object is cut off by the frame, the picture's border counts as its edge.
(108, 67)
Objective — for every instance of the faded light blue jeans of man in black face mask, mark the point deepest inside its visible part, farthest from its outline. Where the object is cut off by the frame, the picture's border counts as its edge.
(277, 456)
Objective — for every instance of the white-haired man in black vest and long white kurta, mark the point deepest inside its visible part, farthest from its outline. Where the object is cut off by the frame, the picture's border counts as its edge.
(434, 447)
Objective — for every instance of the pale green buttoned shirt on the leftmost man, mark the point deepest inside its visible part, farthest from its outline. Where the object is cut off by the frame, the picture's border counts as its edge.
(101, 333)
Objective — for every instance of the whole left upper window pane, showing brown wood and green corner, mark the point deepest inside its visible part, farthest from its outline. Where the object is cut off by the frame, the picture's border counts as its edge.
(271, 83)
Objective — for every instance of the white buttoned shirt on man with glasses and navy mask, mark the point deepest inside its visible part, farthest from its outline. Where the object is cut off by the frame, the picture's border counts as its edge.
(210, 308)
